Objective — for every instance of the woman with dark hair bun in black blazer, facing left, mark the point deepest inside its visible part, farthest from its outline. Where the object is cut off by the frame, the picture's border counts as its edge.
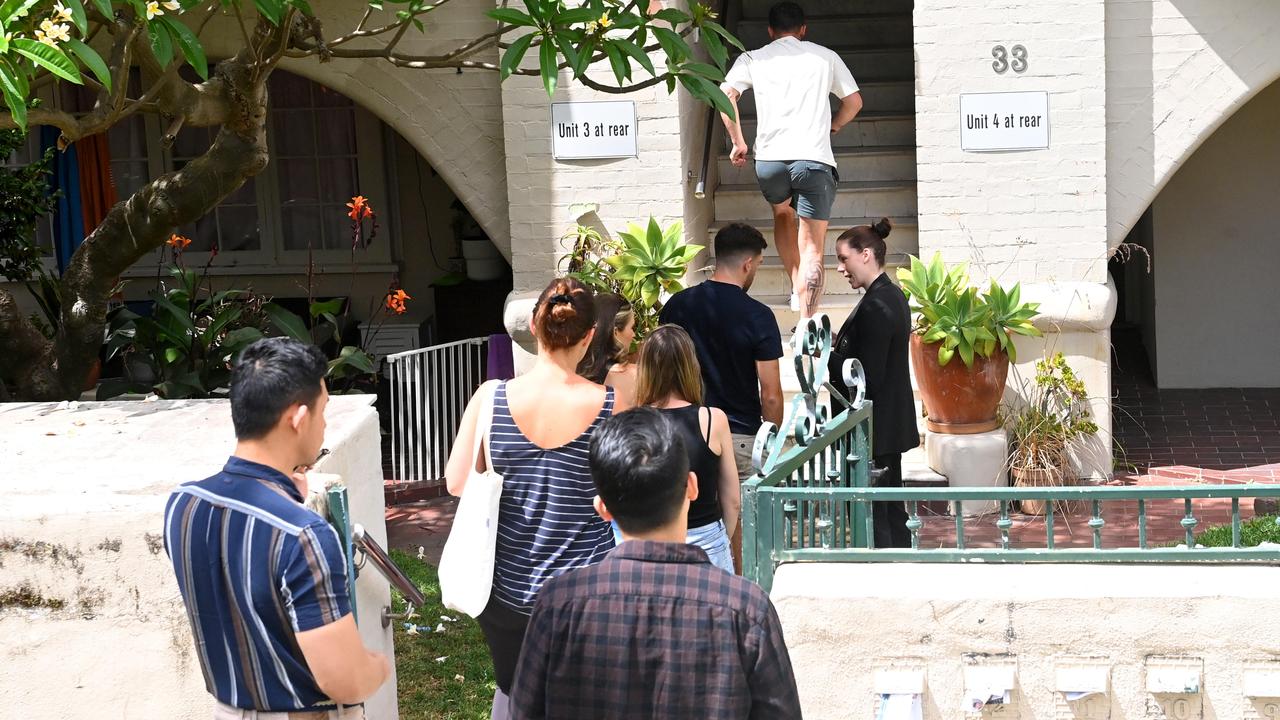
(879, 335)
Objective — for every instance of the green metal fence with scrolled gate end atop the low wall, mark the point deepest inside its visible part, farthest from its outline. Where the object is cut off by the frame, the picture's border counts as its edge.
(811, 498)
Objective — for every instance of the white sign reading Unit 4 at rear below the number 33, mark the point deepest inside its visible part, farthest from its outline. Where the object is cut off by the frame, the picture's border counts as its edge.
(1004, 121)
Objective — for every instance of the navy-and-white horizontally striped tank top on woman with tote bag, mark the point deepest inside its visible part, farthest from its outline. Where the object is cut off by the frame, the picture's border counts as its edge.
(546, 521)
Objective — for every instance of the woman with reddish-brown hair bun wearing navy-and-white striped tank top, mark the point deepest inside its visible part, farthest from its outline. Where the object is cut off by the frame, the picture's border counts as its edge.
(540, 439)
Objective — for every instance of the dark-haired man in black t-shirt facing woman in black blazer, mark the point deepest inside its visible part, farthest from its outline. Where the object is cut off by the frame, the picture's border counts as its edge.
(738, 343)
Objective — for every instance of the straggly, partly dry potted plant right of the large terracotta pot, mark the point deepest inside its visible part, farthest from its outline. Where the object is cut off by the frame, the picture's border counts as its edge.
(1053, 413)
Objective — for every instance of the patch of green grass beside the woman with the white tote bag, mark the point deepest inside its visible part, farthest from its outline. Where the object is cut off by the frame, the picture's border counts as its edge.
(429, 689)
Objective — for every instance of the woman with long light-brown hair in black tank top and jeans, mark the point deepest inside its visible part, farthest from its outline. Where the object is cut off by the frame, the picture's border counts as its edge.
(671, 381)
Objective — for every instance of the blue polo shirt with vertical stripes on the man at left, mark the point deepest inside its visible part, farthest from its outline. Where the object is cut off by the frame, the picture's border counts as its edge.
(255, 567)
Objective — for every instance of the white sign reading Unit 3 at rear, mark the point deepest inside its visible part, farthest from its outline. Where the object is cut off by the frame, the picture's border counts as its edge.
(593, 130)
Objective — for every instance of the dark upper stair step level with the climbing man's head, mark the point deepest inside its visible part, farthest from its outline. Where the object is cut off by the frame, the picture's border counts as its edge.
(842, 29)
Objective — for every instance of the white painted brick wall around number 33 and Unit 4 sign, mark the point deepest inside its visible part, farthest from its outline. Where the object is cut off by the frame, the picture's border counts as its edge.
(1028, 216)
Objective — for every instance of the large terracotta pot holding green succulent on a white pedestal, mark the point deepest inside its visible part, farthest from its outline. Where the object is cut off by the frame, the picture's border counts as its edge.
(959, 400)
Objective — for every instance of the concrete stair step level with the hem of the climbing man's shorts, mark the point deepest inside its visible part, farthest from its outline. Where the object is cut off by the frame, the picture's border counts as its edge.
(744, 203)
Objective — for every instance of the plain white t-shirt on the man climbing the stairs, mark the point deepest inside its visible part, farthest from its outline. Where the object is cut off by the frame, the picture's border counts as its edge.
(793, 80)
